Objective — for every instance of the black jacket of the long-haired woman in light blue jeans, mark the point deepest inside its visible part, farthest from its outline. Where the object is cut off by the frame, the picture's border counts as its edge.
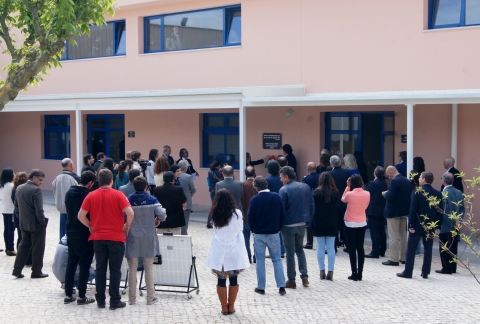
(325, 219)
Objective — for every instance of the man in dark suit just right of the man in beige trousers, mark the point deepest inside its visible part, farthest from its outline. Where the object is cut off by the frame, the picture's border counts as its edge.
(422, 214)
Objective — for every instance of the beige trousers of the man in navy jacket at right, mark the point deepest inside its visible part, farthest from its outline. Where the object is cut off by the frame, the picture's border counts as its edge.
(397, 231)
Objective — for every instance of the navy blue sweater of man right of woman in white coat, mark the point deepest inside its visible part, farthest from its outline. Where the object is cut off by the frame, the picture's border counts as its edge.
(266, 213)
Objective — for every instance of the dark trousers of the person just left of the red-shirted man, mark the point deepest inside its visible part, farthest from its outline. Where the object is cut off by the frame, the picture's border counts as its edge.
(80, 253)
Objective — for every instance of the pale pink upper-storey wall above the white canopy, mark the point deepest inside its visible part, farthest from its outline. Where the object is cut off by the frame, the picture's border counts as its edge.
(329, 46)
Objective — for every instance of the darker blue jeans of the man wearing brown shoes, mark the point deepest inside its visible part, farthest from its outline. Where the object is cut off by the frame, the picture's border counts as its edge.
(293, 239)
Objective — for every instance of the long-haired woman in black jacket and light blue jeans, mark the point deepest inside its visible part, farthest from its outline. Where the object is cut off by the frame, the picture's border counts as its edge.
(325, 222)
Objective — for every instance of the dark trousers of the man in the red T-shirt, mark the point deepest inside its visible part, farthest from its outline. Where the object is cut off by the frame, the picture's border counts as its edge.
(111, 253)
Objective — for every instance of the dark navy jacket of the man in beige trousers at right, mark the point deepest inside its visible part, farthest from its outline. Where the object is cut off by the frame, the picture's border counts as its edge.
(398, 197)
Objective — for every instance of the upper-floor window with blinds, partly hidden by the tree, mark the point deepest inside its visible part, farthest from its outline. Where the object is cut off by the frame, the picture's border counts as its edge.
(107, 40)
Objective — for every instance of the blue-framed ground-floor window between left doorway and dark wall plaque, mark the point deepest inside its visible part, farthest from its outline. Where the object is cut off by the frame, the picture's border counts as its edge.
(221, 139)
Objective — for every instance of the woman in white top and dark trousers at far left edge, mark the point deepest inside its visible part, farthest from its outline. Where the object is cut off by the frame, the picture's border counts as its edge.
(7, 208)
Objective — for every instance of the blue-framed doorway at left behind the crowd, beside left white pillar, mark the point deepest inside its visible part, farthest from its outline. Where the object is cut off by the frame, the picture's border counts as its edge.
(106, 133)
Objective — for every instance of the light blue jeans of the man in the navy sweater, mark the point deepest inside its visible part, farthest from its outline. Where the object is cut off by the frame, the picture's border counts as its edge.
(272, 241)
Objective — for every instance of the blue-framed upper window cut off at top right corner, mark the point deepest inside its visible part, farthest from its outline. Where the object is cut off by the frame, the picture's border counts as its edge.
(454, 13)
